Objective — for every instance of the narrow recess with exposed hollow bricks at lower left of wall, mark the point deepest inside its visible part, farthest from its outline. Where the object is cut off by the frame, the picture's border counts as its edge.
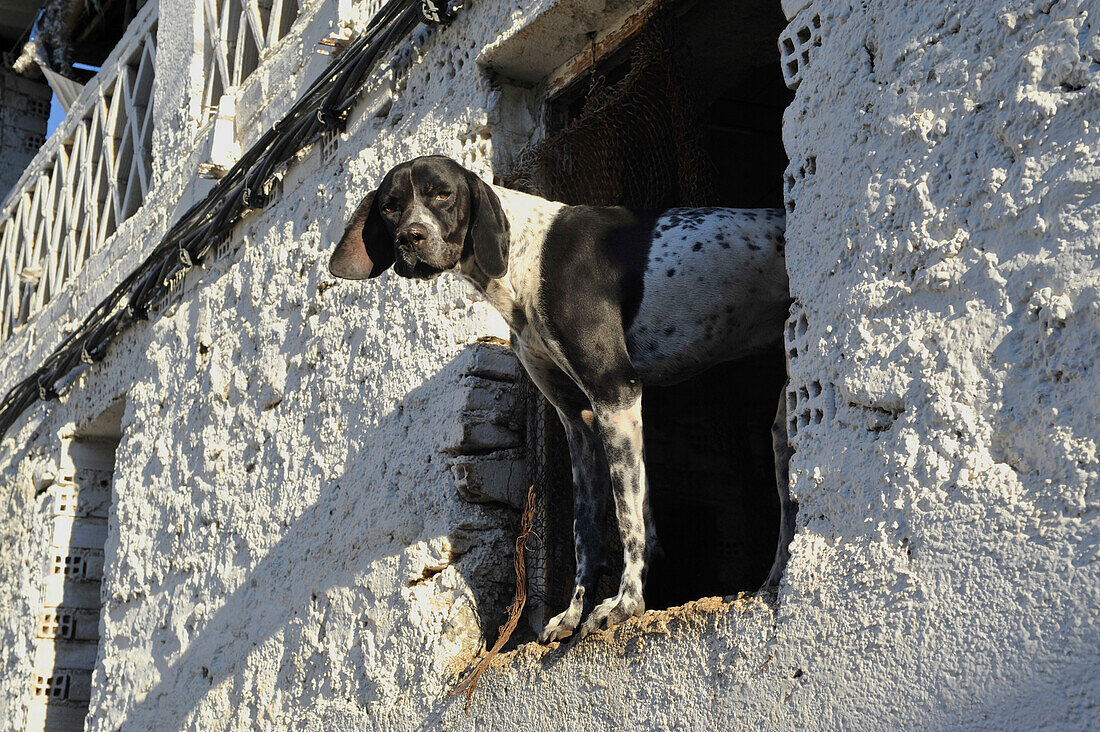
(68, 630)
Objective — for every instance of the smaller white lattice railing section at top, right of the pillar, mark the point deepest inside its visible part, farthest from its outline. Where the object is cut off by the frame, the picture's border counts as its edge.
(237, 35)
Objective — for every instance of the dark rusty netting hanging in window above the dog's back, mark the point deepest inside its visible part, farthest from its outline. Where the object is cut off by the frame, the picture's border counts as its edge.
(636, 141)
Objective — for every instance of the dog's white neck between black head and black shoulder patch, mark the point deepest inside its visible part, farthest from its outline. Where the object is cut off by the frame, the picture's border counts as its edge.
(514, 294)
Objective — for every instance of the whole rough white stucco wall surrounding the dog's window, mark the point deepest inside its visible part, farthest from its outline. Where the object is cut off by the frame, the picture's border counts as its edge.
(283, 486)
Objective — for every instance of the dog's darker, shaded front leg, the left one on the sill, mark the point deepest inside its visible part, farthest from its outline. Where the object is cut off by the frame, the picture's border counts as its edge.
(590, 502)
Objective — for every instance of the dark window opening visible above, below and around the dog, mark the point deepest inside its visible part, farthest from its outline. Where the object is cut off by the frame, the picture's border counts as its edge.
(688, 113)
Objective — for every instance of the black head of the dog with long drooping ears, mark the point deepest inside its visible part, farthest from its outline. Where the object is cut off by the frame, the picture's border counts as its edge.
(428, 216)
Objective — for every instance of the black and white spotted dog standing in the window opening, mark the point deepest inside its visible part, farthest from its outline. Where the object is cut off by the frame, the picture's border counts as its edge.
(600, 302)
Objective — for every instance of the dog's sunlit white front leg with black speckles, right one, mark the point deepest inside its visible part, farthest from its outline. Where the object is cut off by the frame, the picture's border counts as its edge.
(619, 425)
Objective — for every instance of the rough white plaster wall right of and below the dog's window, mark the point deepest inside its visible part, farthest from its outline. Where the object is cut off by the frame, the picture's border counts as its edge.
(943, 248)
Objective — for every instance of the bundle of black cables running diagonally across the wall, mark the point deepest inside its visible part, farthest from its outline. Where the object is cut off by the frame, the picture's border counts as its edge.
(248, 185)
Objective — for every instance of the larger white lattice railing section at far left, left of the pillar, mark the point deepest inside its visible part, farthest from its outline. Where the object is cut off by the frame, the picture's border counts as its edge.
(91, 177)
